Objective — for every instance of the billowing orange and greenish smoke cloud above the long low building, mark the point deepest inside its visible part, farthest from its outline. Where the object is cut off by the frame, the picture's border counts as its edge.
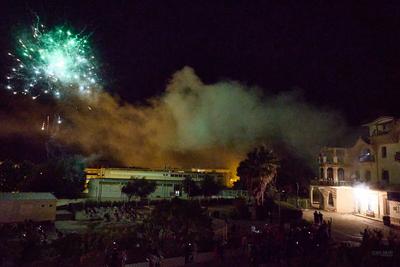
(195, 125)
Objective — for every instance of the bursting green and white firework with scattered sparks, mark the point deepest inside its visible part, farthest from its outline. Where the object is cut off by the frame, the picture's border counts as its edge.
(57, 62)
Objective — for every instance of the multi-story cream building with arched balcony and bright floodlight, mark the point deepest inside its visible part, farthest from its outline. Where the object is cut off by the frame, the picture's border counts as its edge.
(364, 178)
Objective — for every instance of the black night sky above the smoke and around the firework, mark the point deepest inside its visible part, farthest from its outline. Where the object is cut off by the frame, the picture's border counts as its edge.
(343, 57)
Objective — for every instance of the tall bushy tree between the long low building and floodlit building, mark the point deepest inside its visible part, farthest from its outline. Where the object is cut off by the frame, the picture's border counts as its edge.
(258, 171)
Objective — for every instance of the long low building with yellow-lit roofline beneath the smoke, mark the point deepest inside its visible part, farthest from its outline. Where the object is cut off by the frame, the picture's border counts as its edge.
(106, 183)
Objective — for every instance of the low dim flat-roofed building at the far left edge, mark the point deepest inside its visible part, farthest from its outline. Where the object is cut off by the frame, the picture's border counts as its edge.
(18, 207)
